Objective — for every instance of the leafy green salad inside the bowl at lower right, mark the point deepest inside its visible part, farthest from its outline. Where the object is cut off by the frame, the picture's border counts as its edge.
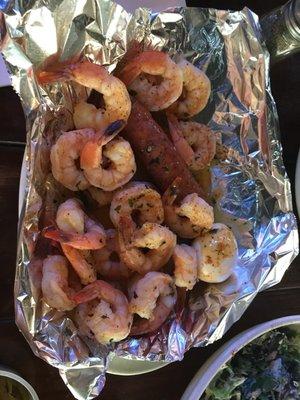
(266, 369)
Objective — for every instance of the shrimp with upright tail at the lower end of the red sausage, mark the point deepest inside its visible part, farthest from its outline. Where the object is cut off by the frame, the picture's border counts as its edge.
(190, 217)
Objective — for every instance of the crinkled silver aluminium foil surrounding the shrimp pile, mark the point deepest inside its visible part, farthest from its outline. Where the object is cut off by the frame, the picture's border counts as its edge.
(251, 188)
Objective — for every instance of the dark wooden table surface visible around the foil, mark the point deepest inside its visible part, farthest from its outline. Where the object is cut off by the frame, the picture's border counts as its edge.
(169, 382)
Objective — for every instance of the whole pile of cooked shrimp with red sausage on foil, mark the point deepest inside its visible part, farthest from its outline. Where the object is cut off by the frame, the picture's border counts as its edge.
(119, 276)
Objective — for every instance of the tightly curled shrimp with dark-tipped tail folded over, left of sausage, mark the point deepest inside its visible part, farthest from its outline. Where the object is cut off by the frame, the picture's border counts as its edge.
(108, 164)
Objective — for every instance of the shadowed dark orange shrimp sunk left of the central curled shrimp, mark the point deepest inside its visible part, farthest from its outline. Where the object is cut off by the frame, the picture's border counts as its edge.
(107, 260)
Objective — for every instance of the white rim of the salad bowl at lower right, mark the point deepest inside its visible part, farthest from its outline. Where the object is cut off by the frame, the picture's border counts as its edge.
(212, 366)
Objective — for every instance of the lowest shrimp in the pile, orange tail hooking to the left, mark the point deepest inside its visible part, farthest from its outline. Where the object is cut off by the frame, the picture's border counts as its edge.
(109, 319)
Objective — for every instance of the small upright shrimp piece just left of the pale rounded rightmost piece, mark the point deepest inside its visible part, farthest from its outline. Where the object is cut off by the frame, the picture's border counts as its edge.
(185, 261)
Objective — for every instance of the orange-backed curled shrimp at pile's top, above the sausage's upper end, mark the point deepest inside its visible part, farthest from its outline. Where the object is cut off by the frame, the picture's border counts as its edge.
(143, 74)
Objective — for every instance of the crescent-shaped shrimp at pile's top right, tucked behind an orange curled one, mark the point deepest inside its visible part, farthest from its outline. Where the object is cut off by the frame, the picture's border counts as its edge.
(196, 91)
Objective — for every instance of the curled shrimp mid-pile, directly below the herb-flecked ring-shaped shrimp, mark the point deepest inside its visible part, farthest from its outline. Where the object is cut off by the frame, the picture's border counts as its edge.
(148, 248)
